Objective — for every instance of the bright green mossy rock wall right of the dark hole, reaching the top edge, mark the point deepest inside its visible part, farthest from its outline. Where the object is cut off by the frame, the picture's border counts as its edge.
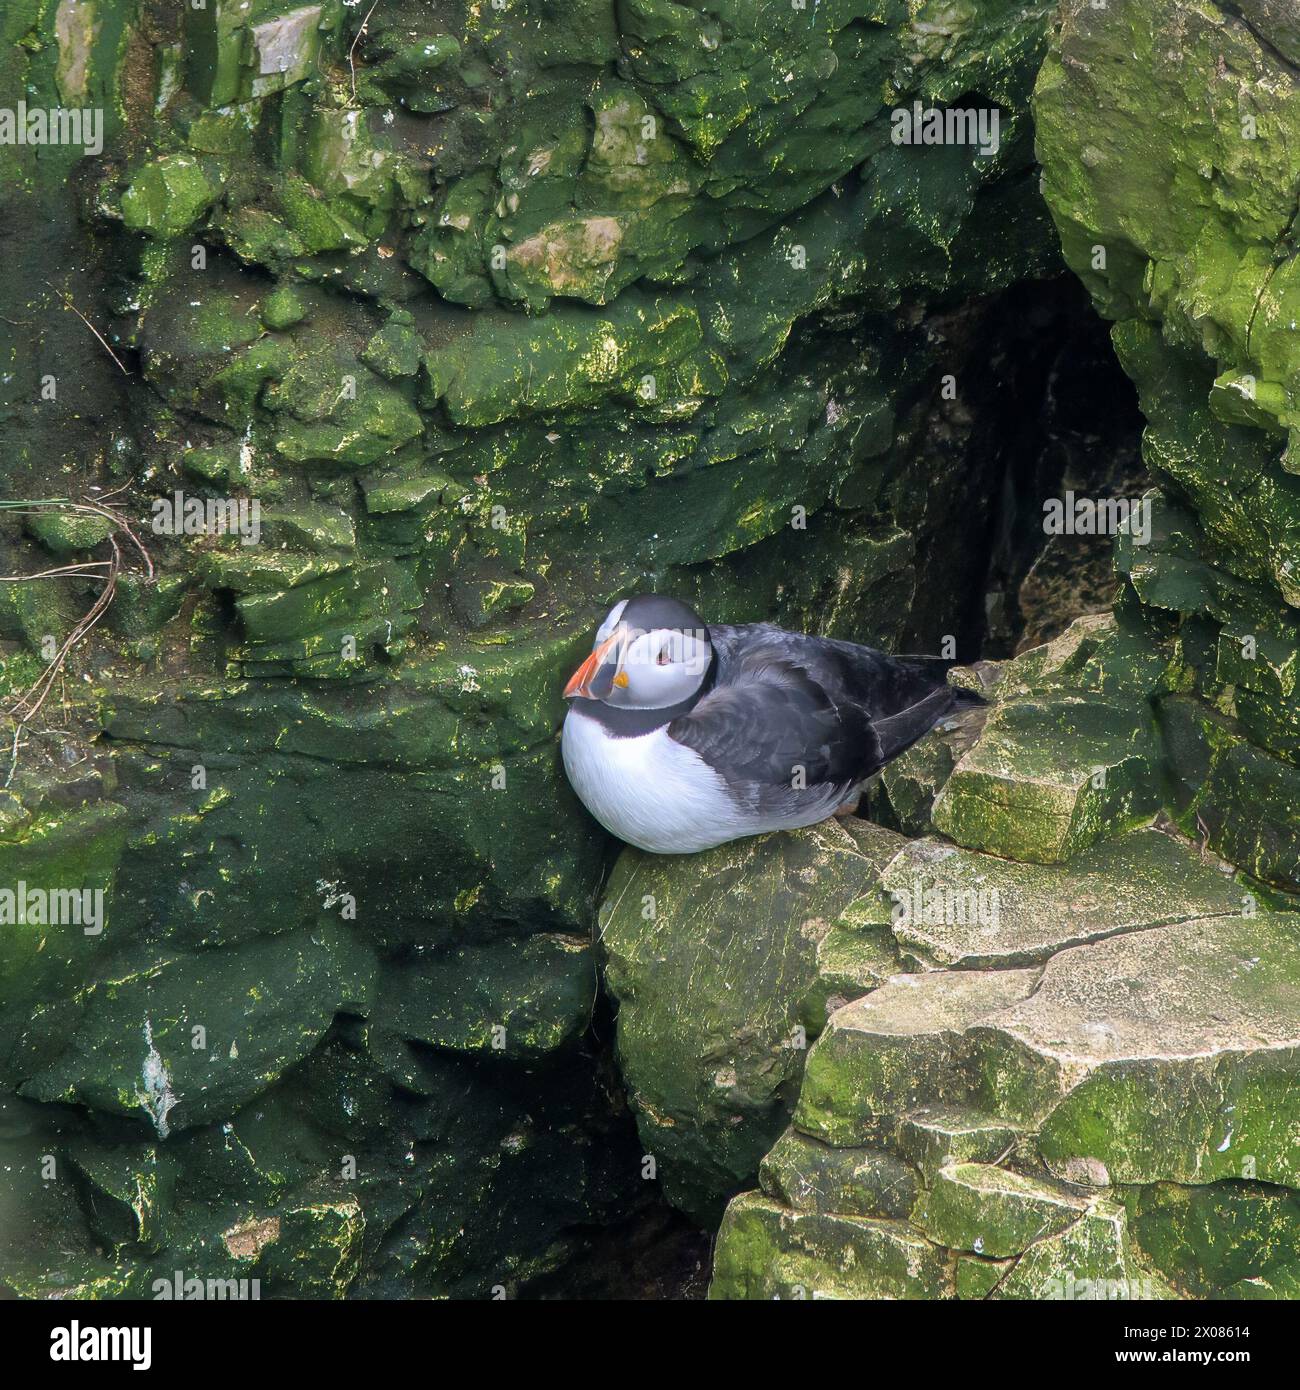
(1202, 297)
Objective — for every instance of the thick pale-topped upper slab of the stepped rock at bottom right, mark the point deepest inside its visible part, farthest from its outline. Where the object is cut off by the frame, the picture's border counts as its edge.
(1160, 1056)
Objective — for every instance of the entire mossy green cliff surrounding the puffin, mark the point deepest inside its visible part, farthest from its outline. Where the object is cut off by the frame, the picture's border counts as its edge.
(501, 312)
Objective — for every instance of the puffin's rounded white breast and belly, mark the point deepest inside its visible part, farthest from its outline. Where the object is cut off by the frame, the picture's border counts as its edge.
(650, 792)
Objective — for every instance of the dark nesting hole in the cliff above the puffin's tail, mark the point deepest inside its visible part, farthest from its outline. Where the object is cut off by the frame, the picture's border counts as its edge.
(1052, 412)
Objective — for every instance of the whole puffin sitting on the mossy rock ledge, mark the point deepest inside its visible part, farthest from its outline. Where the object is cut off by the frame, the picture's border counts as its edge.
(683, 736)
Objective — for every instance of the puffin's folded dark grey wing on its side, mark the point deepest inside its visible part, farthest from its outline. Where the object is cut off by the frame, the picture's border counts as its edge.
(772, 722)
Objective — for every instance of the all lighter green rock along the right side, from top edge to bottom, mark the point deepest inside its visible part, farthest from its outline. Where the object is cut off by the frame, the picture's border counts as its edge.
(1081, 1082)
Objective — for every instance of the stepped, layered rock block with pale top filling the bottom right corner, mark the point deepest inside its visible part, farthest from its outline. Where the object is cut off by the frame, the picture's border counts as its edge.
(1074, 1129)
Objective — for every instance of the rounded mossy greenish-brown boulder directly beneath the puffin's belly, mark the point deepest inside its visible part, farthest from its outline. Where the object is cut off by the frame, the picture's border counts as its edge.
(710, 957)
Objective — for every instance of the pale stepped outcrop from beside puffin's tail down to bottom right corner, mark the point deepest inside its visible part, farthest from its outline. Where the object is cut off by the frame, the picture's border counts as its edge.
(1064, 1050)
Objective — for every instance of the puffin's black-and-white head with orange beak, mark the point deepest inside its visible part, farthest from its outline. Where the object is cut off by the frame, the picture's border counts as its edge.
(651, 653)
